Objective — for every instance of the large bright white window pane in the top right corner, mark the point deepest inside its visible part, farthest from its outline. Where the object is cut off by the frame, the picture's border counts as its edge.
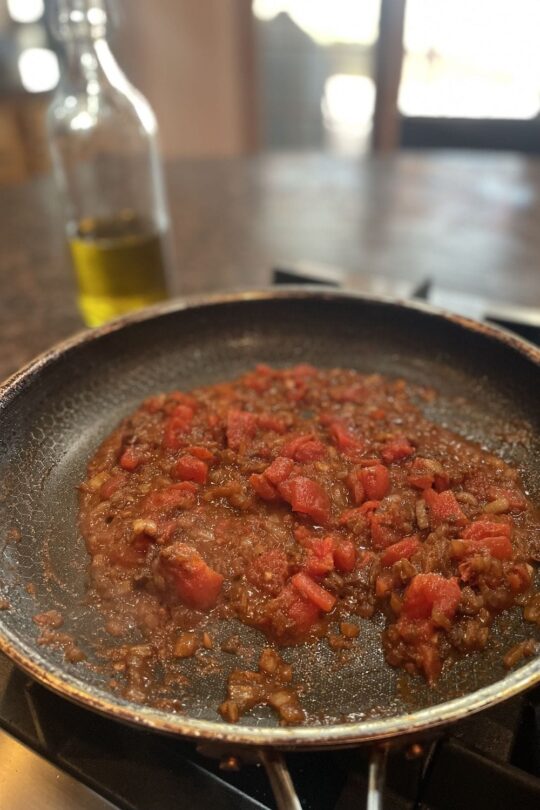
(471, 59)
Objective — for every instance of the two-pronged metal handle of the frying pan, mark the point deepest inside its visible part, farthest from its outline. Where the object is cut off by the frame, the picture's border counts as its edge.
(285, 793)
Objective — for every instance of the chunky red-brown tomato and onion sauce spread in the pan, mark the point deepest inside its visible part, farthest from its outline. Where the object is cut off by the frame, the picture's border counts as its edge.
(297, 500)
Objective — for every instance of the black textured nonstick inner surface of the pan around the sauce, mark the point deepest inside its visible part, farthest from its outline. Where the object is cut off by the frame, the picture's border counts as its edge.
(52, 421)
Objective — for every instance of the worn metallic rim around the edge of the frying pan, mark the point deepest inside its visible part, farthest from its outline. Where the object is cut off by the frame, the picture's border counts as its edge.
(335, 735)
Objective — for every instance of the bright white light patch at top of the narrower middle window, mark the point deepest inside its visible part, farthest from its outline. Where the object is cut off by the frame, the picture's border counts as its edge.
(327, 21)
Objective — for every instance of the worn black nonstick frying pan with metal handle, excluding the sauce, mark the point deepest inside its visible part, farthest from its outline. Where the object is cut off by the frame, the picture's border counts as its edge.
(55, 412)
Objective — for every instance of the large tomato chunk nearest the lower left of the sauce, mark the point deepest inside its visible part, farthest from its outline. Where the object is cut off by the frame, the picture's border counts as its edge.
(192, 581)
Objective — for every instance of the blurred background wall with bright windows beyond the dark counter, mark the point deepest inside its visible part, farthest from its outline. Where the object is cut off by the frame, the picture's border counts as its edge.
(228, 77)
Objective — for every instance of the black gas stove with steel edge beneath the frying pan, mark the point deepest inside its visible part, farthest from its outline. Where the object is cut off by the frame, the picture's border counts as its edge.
(56, 755)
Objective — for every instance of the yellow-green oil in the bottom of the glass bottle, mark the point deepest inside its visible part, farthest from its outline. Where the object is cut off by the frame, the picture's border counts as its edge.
(119, 264)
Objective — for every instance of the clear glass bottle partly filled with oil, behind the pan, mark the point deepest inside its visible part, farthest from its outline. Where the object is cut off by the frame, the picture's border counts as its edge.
(102, 135)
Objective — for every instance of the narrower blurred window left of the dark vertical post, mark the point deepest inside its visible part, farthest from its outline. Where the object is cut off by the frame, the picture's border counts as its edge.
(316, 63)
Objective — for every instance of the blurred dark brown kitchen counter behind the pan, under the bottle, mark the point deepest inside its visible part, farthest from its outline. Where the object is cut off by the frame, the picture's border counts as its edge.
(469, 221)
